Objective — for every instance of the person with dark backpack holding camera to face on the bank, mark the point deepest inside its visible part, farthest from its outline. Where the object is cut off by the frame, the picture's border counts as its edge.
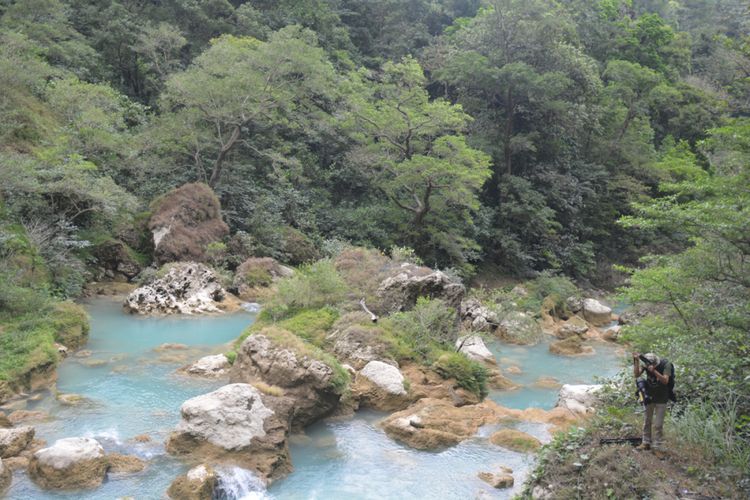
(659, 389)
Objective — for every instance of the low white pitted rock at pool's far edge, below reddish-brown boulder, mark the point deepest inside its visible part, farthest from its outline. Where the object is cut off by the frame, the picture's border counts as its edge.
(187, 288)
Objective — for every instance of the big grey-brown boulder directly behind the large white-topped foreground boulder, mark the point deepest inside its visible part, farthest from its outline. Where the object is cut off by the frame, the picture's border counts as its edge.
(280, 359)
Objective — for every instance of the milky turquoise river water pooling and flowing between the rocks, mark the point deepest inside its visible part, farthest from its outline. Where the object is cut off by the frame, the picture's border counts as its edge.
(130, 389)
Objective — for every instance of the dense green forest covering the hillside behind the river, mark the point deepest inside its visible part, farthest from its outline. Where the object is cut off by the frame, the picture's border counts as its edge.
(607, 141)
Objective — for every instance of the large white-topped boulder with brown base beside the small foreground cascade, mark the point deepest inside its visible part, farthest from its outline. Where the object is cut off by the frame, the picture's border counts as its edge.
(233, 424)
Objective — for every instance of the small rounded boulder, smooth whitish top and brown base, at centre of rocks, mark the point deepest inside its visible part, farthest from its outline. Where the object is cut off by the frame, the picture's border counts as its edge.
(381, 386)
